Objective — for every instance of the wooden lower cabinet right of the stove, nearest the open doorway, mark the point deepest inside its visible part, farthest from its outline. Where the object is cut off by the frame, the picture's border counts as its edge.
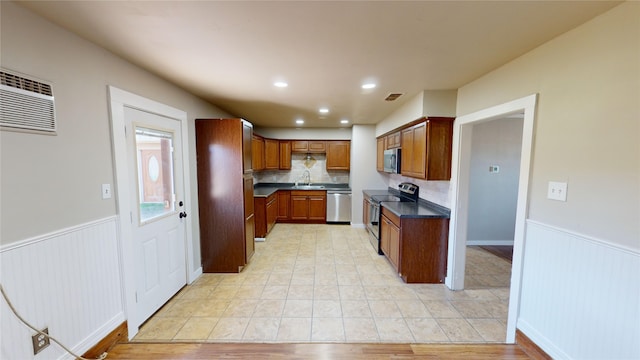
(416, 247)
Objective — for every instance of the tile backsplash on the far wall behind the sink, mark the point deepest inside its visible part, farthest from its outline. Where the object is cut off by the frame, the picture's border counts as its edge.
(316, 164)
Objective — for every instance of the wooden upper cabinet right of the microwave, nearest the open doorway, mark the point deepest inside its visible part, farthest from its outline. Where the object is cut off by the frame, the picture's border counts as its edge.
(426, 149)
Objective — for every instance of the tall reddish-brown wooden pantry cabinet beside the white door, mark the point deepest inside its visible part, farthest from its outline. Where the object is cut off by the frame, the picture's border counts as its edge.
(225, 193)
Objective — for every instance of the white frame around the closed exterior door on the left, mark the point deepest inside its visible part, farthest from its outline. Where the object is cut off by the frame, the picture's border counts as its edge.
(118, 100)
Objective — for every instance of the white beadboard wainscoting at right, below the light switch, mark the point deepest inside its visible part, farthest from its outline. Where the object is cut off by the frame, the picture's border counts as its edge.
(580, 296)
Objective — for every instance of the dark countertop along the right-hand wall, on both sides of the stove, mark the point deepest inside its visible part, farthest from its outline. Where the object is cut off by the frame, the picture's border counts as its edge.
(421, 209)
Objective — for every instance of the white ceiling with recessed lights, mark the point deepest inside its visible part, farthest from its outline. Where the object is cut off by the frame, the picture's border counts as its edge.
(231, 52)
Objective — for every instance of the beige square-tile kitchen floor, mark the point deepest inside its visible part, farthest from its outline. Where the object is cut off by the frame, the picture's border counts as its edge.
(325, 283)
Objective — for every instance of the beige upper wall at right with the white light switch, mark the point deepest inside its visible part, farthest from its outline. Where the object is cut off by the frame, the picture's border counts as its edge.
(587, 126)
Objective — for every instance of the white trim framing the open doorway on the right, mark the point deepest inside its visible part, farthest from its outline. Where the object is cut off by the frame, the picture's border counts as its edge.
(460, 194)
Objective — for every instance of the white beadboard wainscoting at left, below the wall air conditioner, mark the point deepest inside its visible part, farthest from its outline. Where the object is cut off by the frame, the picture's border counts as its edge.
(68, 281)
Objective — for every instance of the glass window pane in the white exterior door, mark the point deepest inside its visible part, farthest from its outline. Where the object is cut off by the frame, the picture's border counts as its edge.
(154, 150)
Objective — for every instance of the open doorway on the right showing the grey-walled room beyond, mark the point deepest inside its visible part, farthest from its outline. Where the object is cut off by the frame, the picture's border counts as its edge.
(493, 194)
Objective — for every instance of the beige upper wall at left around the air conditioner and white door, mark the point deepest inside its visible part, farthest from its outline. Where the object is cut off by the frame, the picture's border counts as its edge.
(53, 182)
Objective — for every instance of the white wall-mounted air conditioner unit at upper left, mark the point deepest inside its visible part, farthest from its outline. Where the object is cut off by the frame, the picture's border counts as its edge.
(26, 104)
